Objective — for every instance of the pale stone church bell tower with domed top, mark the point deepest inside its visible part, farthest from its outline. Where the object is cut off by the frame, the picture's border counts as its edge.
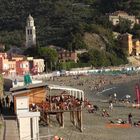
(30, 32)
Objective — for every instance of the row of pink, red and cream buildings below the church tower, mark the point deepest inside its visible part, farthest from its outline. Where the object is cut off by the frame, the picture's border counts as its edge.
(20, 65)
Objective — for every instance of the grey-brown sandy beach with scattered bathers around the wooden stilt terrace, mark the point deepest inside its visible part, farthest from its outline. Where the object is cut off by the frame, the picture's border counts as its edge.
(97, 88)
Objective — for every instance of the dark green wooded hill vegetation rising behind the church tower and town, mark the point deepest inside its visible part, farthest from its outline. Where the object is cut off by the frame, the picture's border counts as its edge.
(64, 23)
